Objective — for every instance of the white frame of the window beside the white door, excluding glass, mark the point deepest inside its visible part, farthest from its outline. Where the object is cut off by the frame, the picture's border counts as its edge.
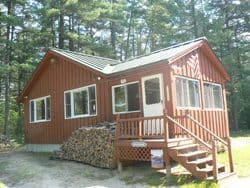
(126, 97)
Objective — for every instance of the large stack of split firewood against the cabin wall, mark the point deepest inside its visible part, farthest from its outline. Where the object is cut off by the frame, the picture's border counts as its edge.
(91, 145)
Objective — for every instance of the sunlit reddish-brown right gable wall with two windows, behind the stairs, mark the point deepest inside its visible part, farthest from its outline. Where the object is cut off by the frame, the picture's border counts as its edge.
(215, 120)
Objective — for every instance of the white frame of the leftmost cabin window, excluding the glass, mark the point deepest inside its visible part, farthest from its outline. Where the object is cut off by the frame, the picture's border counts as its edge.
(35, 109)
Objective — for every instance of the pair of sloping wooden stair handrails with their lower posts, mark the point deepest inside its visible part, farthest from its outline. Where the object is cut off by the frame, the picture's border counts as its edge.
(213, 147)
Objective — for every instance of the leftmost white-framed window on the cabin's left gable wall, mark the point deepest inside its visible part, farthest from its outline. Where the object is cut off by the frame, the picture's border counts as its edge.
(40, 109)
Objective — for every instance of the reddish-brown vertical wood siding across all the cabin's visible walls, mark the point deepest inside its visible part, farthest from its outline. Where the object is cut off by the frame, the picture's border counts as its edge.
(55, 78)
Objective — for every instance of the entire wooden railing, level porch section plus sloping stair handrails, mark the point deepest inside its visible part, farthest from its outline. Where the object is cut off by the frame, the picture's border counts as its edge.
(157, 127)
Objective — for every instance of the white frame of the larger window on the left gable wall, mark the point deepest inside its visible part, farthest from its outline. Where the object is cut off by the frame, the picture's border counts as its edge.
(73, 116)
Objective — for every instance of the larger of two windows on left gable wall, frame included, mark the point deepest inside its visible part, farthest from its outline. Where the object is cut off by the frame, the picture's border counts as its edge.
(80, 102)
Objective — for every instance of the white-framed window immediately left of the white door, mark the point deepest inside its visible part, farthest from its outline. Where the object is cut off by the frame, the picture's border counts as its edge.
(126, 98)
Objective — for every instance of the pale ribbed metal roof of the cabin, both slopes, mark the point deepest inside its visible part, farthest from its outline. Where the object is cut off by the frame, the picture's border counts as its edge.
(111, 66)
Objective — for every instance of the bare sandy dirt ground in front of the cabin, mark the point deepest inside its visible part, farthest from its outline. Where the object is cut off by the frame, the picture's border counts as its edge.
(20, 169)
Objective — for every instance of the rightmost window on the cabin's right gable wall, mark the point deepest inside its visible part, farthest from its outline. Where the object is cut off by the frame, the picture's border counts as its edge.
(213, 96)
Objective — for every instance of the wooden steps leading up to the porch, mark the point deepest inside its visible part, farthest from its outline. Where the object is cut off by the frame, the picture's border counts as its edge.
(197, 161)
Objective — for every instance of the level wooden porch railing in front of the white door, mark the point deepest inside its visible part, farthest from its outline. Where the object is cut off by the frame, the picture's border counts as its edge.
(154, 127)
